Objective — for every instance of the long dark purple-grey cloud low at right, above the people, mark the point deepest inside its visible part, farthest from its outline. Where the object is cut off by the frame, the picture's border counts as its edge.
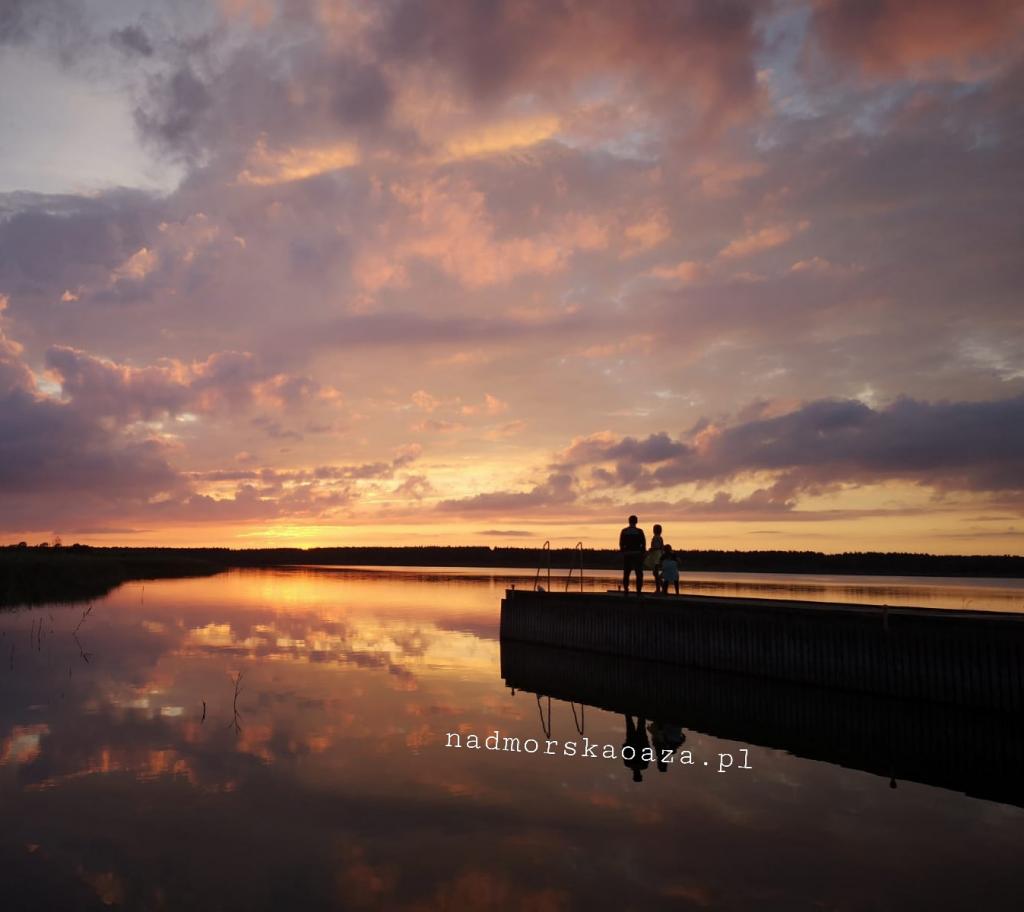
(950, 446)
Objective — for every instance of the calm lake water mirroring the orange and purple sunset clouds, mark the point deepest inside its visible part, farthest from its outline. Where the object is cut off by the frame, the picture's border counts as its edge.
(322, 779)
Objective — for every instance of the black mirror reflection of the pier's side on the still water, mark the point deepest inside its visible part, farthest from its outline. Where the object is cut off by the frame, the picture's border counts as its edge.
(979, 754)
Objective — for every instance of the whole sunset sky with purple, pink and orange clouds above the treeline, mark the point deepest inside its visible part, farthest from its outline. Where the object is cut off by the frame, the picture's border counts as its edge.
(501, 272)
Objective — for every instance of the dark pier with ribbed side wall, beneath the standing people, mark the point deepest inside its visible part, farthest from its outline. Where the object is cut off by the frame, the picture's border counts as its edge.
(964, 659)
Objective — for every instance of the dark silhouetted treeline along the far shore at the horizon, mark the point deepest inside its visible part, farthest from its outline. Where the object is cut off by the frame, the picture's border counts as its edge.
(179, 561)
